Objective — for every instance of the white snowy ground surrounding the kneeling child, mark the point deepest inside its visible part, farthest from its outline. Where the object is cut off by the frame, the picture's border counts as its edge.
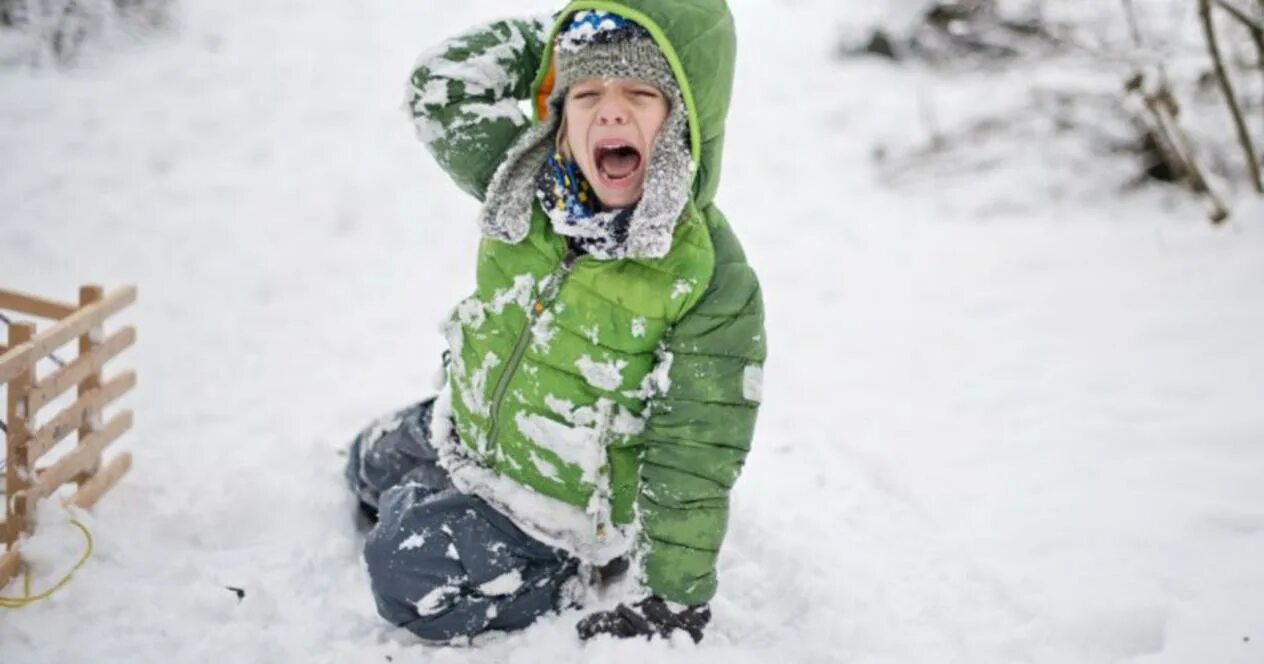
(1004, 422)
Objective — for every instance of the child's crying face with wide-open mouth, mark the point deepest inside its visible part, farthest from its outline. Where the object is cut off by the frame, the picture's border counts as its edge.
(611, 126)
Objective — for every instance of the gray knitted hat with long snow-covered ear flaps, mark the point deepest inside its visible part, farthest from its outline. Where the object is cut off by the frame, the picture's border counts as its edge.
(601, 45)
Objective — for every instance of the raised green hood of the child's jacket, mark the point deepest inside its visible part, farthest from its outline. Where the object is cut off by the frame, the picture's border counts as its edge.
(701, 45)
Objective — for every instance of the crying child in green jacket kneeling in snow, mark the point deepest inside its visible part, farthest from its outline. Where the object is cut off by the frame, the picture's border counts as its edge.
(605, 378)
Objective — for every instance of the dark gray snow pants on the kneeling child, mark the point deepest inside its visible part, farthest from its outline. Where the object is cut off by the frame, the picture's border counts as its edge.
(444, 565)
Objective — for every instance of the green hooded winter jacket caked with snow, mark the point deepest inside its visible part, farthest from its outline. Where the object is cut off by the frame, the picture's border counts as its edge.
(623, 391)
